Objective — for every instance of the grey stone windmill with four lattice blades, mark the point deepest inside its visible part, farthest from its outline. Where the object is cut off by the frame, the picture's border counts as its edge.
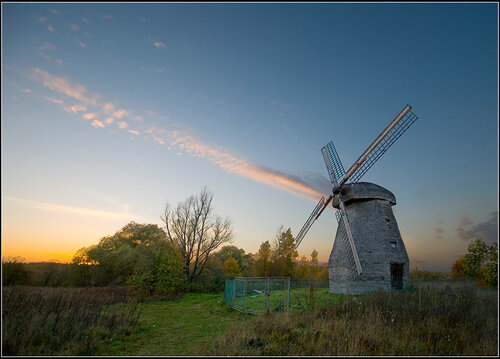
(368, 251)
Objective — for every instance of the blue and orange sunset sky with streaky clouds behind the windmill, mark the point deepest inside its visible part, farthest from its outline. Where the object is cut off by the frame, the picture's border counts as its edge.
(112, 110)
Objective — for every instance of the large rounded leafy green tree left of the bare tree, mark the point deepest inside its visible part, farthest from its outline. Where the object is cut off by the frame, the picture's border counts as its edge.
(137, 254)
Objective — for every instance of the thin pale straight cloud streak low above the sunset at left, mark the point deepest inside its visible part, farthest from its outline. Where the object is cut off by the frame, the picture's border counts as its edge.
(74, 211)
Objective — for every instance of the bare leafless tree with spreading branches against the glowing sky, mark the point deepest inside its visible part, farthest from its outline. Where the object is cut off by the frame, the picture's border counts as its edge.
(196, 231)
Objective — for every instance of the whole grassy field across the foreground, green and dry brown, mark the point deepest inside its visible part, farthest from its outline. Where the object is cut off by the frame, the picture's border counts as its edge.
(430, 319)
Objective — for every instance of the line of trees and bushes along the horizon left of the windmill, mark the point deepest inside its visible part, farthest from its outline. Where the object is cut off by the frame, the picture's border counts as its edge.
(191, 253)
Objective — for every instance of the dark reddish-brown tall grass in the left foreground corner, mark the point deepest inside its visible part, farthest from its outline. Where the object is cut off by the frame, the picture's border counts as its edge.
(63, 321)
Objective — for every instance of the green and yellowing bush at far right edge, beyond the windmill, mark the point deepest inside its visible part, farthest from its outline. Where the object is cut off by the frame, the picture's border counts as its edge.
(480, 263)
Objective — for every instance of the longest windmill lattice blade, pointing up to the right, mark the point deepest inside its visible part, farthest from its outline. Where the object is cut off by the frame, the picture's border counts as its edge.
(384, 145)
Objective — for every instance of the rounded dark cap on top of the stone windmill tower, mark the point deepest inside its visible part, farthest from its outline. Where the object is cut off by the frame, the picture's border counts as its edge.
(364, 191)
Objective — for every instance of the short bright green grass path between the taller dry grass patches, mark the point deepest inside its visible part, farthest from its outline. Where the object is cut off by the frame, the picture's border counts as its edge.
(184, 326)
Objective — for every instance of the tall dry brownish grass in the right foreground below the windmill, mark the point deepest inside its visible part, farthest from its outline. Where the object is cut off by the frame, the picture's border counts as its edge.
(421, 321)
